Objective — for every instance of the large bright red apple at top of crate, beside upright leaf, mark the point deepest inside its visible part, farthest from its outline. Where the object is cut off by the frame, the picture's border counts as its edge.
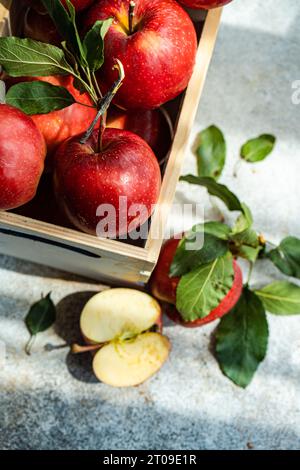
(158, 58)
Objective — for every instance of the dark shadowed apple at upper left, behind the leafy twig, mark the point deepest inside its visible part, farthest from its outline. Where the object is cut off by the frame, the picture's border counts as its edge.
(39, 26)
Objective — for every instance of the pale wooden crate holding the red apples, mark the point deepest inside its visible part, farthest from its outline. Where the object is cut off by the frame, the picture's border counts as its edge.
(70, 250)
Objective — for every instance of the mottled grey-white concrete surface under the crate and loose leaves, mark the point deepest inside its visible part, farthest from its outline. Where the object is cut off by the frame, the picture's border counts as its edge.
(51, 399)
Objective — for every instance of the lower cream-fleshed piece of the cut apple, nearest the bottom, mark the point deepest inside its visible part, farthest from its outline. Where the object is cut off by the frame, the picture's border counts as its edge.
(130, 363)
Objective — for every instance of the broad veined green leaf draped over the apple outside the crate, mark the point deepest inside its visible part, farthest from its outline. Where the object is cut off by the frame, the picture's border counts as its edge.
(200, 291)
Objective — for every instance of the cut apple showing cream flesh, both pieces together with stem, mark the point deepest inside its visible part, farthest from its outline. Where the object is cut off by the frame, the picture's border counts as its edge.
(117, 322)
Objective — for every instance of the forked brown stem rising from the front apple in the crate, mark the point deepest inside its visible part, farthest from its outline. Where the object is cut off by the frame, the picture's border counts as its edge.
(104, 104)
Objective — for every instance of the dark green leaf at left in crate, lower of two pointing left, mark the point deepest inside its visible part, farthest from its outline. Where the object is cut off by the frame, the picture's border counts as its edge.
(39, 97)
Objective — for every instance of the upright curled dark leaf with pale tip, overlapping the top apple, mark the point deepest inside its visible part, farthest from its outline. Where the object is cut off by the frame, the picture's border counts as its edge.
(93, 44)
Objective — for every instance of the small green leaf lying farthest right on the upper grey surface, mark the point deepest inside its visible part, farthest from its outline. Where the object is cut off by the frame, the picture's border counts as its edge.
(256, 150)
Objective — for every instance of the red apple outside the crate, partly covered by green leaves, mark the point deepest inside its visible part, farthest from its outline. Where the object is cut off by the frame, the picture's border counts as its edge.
(163, 287)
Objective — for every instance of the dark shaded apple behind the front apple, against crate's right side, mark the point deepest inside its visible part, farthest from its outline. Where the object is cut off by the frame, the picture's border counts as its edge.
(153, 125)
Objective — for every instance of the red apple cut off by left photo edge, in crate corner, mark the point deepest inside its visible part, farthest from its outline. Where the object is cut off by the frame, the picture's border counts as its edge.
(22, 155)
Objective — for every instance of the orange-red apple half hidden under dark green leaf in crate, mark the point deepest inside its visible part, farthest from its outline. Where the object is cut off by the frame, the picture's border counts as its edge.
(58, 126)
